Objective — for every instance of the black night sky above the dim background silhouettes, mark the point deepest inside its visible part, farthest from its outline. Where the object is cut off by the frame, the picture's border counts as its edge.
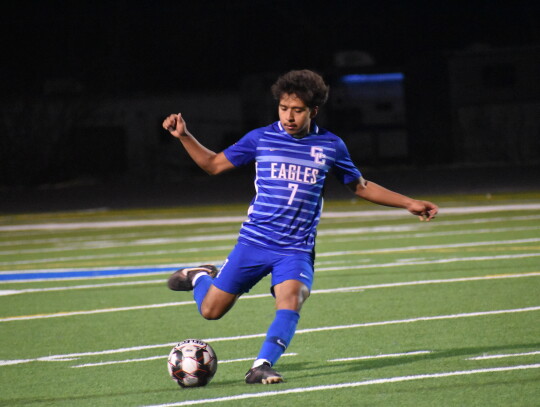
(162, 45)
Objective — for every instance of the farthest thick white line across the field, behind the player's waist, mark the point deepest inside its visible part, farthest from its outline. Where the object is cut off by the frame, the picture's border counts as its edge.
(234, 219)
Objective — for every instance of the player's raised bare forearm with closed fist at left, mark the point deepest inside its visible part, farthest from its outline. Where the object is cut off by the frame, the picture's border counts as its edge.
(211, 162)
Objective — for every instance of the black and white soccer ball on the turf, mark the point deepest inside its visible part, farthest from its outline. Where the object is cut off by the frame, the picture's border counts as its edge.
(192, 363)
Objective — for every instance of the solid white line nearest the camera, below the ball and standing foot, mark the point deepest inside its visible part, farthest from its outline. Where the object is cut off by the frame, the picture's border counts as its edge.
(396, 379)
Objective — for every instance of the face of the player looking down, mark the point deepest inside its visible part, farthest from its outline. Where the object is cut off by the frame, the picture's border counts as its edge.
(294, 115)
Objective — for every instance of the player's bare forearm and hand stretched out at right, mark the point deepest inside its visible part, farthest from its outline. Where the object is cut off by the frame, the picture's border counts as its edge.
(375, 193)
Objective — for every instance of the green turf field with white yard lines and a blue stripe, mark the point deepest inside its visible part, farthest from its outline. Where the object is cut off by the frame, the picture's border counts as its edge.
(402, 313)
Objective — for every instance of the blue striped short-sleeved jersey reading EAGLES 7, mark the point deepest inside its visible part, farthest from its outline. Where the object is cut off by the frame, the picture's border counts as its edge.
(289, 181)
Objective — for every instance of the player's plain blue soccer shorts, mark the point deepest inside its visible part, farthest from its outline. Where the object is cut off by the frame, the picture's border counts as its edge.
(248, 264)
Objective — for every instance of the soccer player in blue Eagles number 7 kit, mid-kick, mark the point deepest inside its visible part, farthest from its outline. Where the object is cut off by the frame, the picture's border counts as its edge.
(293, 157)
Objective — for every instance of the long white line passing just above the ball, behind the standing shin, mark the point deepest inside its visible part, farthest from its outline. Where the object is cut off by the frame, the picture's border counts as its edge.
(66, 357)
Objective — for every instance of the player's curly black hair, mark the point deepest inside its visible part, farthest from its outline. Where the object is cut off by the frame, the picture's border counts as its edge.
(305, 84)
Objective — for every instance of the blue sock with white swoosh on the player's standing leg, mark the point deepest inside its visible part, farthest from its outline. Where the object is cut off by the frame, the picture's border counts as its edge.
(279, 335)
